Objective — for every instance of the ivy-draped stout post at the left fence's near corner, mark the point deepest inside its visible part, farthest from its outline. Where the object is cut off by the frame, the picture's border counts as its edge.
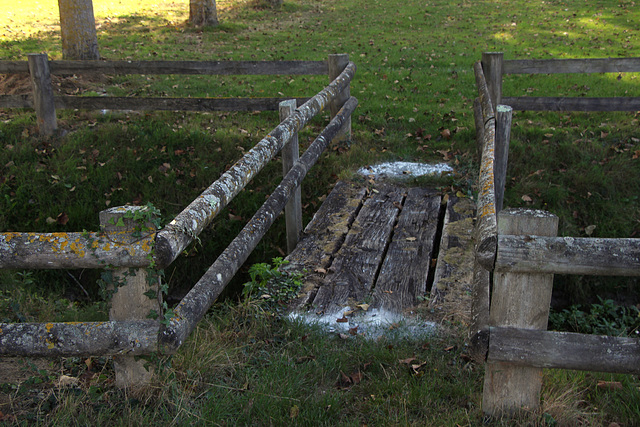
(129, 301)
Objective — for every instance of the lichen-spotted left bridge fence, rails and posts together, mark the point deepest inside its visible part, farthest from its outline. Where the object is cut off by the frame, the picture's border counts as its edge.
(135, 252)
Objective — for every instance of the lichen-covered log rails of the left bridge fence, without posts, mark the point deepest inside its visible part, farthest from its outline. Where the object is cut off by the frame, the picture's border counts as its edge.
(127, 338)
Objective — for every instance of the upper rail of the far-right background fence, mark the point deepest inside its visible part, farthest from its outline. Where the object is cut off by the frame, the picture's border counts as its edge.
(584, 65)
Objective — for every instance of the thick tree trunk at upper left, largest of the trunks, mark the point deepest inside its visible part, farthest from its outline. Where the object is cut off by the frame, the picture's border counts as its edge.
(78, 30)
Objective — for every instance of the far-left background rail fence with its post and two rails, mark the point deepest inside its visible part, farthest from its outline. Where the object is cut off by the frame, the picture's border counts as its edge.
(43, 100)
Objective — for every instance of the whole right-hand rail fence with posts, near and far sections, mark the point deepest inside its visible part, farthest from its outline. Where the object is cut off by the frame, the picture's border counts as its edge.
(519, 251)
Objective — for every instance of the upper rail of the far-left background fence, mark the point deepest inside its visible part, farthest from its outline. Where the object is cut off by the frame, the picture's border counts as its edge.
(188, 67)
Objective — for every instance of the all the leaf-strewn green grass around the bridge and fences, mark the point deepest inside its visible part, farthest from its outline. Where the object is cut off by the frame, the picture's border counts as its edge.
(414, 81)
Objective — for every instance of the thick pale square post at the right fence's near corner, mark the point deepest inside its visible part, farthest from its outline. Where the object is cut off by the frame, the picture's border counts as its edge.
(521, 301)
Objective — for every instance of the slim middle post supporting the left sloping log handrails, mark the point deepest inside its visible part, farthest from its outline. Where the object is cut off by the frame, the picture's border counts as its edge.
(290, 154)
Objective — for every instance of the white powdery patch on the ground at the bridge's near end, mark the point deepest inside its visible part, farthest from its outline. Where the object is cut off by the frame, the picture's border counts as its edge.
(371, 324)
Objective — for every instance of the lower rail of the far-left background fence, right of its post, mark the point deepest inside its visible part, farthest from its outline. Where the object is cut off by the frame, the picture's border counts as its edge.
(170, 104)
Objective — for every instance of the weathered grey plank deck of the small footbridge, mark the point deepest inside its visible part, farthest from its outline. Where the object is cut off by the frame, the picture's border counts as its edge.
(389, 248)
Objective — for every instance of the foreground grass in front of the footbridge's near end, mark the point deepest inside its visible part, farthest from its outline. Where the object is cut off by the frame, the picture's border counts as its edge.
(242, 368)
